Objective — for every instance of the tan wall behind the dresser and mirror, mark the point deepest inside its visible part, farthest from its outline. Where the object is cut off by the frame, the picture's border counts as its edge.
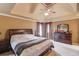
(73, 27)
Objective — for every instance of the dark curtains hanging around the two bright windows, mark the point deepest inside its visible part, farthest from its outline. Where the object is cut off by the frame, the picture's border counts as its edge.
(44, 29)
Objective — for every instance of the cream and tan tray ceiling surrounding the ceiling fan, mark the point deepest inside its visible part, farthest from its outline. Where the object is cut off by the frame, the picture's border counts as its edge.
(61, 11)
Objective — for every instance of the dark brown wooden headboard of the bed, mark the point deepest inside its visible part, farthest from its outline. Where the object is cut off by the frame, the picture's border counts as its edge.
(11, 32)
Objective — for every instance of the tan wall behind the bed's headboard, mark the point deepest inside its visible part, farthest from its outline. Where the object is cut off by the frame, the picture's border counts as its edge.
(13, 23)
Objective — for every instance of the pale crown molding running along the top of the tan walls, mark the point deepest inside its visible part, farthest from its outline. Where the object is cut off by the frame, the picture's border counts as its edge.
(67, 17)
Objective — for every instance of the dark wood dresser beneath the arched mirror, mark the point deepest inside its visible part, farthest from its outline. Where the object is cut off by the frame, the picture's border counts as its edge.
(64, 37)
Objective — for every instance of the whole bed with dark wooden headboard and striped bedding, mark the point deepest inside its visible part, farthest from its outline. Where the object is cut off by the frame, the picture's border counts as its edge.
(24, 43)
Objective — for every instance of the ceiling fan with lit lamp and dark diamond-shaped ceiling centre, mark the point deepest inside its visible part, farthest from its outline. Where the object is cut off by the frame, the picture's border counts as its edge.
(48, 10)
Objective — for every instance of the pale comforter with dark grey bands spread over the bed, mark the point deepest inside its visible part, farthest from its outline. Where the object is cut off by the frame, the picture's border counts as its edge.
(29, 45)
